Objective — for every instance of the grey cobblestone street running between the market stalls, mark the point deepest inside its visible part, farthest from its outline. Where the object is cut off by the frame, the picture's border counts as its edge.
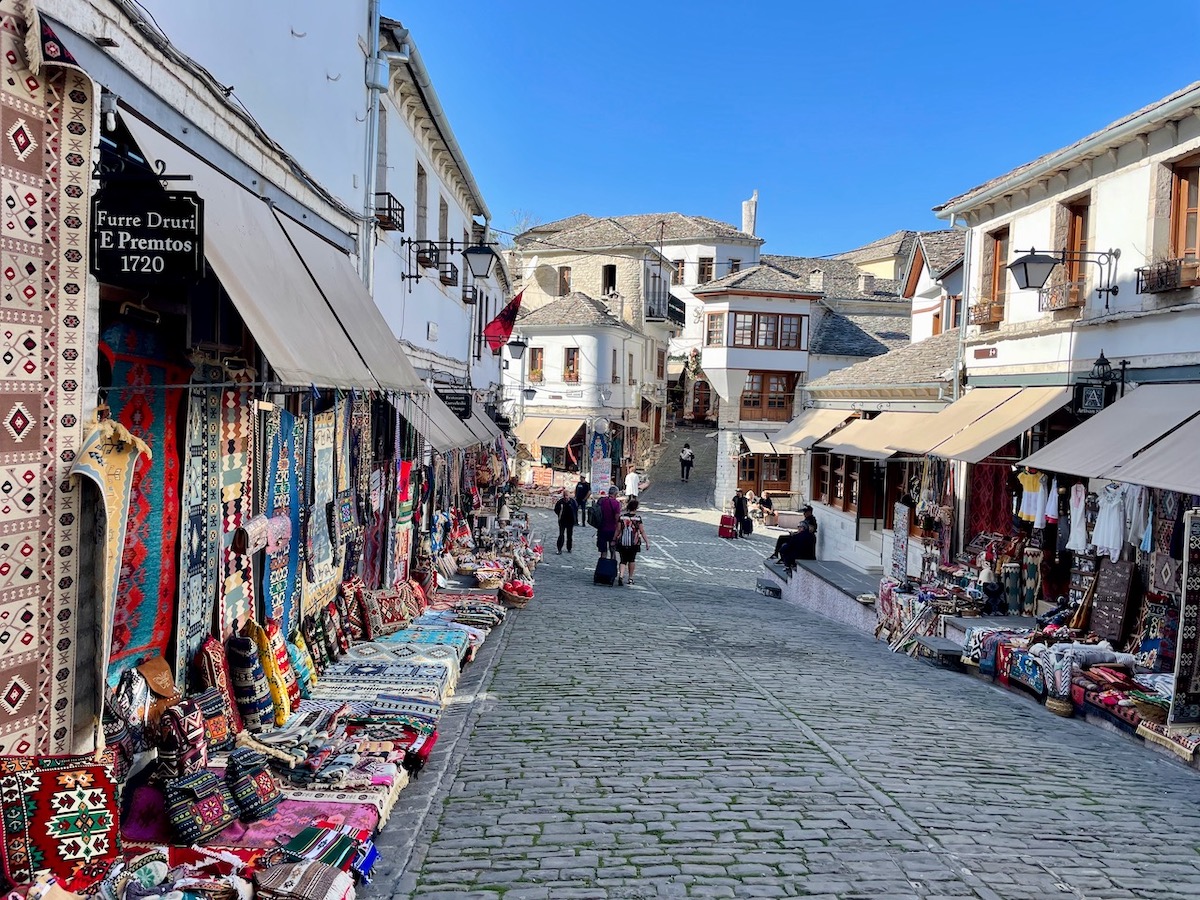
(689, 737)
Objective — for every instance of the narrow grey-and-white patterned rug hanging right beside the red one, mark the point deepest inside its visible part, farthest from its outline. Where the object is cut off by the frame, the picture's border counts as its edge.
(200, 559)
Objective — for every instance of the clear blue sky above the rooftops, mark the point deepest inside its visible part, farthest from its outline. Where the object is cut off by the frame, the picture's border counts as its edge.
(851, 119)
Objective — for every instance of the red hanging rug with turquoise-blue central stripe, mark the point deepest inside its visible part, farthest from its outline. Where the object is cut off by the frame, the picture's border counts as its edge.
(145, 613)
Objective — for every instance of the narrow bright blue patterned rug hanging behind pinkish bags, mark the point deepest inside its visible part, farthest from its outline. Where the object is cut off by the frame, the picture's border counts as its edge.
(285, 475)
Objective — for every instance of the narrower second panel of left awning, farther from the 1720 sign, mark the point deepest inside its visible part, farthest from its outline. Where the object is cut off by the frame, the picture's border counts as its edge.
(353, 305)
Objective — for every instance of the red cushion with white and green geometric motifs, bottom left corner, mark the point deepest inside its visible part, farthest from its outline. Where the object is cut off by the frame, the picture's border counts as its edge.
(59, 818)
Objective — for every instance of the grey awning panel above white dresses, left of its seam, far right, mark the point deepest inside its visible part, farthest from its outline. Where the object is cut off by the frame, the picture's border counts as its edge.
(1107, 442)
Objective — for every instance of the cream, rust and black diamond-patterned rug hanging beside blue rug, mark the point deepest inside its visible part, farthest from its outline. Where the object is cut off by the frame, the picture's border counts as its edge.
(237, 441)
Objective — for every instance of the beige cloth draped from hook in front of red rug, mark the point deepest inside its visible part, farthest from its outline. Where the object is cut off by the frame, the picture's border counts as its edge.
(109, 459)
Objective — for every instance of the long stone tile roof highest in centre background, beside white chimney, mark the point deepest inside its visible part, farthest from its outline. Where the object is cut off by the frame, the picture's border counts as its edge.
(585, 232)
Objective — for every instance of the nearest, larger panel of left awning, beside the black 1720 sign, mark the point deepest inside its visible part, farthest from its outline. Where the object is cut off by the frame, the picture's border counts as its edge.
(250, 255)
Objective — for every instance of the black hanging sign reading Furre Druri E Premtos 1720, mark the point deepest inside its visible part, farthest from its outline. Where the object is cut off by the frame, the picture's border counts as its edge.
(143, 236)
